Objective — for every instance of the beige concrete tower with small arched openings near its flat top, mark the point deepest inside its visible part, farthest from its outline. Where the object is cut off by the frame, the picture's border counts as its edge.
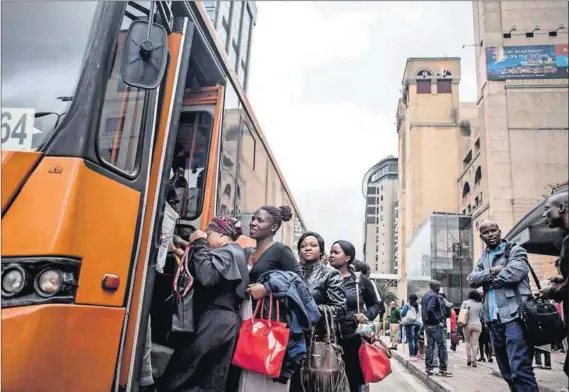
(429, 140)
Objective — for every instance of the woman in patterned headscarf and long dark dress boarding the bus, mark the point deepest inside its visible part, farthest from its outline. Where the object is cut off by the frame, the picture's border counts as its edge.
(220, 272)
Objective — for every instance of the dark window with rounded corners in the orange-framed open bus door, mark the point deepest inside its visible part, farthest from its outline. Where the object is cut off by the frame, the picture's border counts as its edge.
(190, 161)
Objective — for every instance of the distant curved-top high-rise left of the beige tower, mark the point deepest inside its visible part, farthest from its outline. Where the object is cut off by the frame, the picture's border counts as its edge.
(380, 191)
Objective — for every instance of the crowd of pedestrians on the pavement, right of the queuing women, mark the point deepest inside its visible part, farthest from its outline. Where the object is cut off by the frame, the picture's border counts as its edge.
(490, 320)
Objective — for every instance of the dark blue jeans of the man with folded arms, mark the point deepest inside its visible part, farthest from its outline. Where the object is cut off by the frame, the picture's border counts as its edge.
(514, 355)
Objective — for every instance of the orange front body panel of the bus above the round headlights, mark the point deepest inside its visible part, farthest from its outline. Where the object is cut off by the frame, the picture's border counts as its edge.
(85, 215)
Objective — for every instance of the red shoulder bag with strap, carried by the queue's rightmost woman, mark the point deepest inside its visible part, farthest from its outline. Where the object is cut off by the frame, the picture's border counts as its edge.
(374, 357)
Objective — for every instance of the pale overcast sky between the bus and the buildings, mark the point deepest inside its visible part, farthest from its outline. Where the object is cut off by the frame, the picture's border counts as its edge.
(324, 84)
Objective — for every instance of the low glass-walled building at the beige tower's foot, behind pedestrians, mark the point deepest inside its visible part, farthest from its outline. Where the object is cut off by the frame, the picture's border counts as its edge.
(442, 250)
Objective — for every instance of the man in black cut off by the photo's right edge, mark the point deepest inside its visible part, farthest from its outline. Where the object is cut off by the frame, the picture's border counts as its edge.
(556, 215)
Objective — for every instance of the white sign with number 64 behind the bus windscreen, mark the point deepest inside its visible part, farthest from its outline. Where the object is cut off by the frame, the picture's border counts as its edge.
(17, 129)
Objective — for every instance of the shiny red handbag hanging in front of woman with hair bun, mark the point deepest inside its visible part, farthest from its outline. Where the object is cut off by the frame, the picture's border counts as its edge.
(262, 344)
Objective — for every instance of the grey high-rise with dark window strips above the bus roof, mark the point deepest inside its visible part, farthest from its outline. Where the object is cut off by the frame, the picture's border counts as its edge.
(234, 22)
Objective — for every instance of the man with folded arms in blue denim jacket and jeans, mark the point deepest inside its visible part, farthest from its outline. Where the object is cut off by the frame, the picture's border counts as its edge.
(501, 270)
